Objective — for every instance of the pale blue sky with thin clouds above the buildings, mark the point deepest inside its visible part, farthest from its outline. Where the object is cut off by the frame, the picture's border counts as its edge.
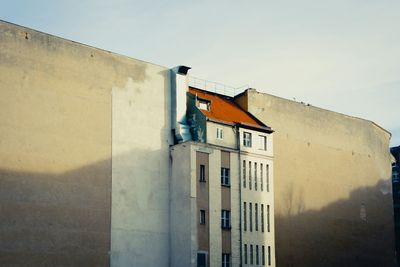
(341, 55)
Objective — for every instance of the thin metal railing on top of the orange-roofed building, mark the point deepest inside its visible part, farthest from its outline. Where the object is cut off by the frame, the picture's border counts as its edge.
(216, 87)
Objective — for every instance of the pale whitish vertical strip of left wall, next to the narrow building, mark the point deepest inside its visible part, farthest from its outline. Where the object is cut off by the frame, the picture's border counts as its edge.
(141, 136)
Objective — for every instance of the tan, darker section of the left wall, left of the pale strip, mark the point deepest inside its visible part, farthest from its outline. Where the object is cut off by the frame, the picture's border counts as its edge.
(55, 149)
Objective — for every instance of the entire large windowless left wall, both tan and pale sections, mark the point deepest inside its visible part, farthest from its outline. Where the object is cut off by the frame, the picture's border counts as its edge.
(58, 154)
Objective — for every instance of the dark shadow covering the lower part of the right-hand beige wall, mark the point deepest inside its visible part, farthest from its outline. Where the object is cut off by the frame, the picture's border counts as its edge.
(357, 231)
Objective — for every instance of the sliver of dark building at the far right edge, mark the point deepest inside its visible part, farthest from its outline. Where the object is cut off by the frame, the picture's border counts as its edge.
(395, 151)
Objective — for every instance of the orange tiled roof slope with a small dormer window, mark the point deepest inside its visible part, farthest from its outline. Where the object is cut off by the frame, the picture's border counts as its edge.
(224, 110)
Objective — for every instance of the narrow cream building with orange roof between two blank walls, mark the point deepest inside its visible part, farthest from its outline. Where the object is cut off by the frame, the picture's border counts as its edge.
(222, 187)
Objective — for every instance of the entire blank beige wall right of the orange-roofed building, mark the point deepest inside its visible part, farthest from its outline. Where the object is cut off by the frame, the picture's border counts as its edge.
(332, 189)
